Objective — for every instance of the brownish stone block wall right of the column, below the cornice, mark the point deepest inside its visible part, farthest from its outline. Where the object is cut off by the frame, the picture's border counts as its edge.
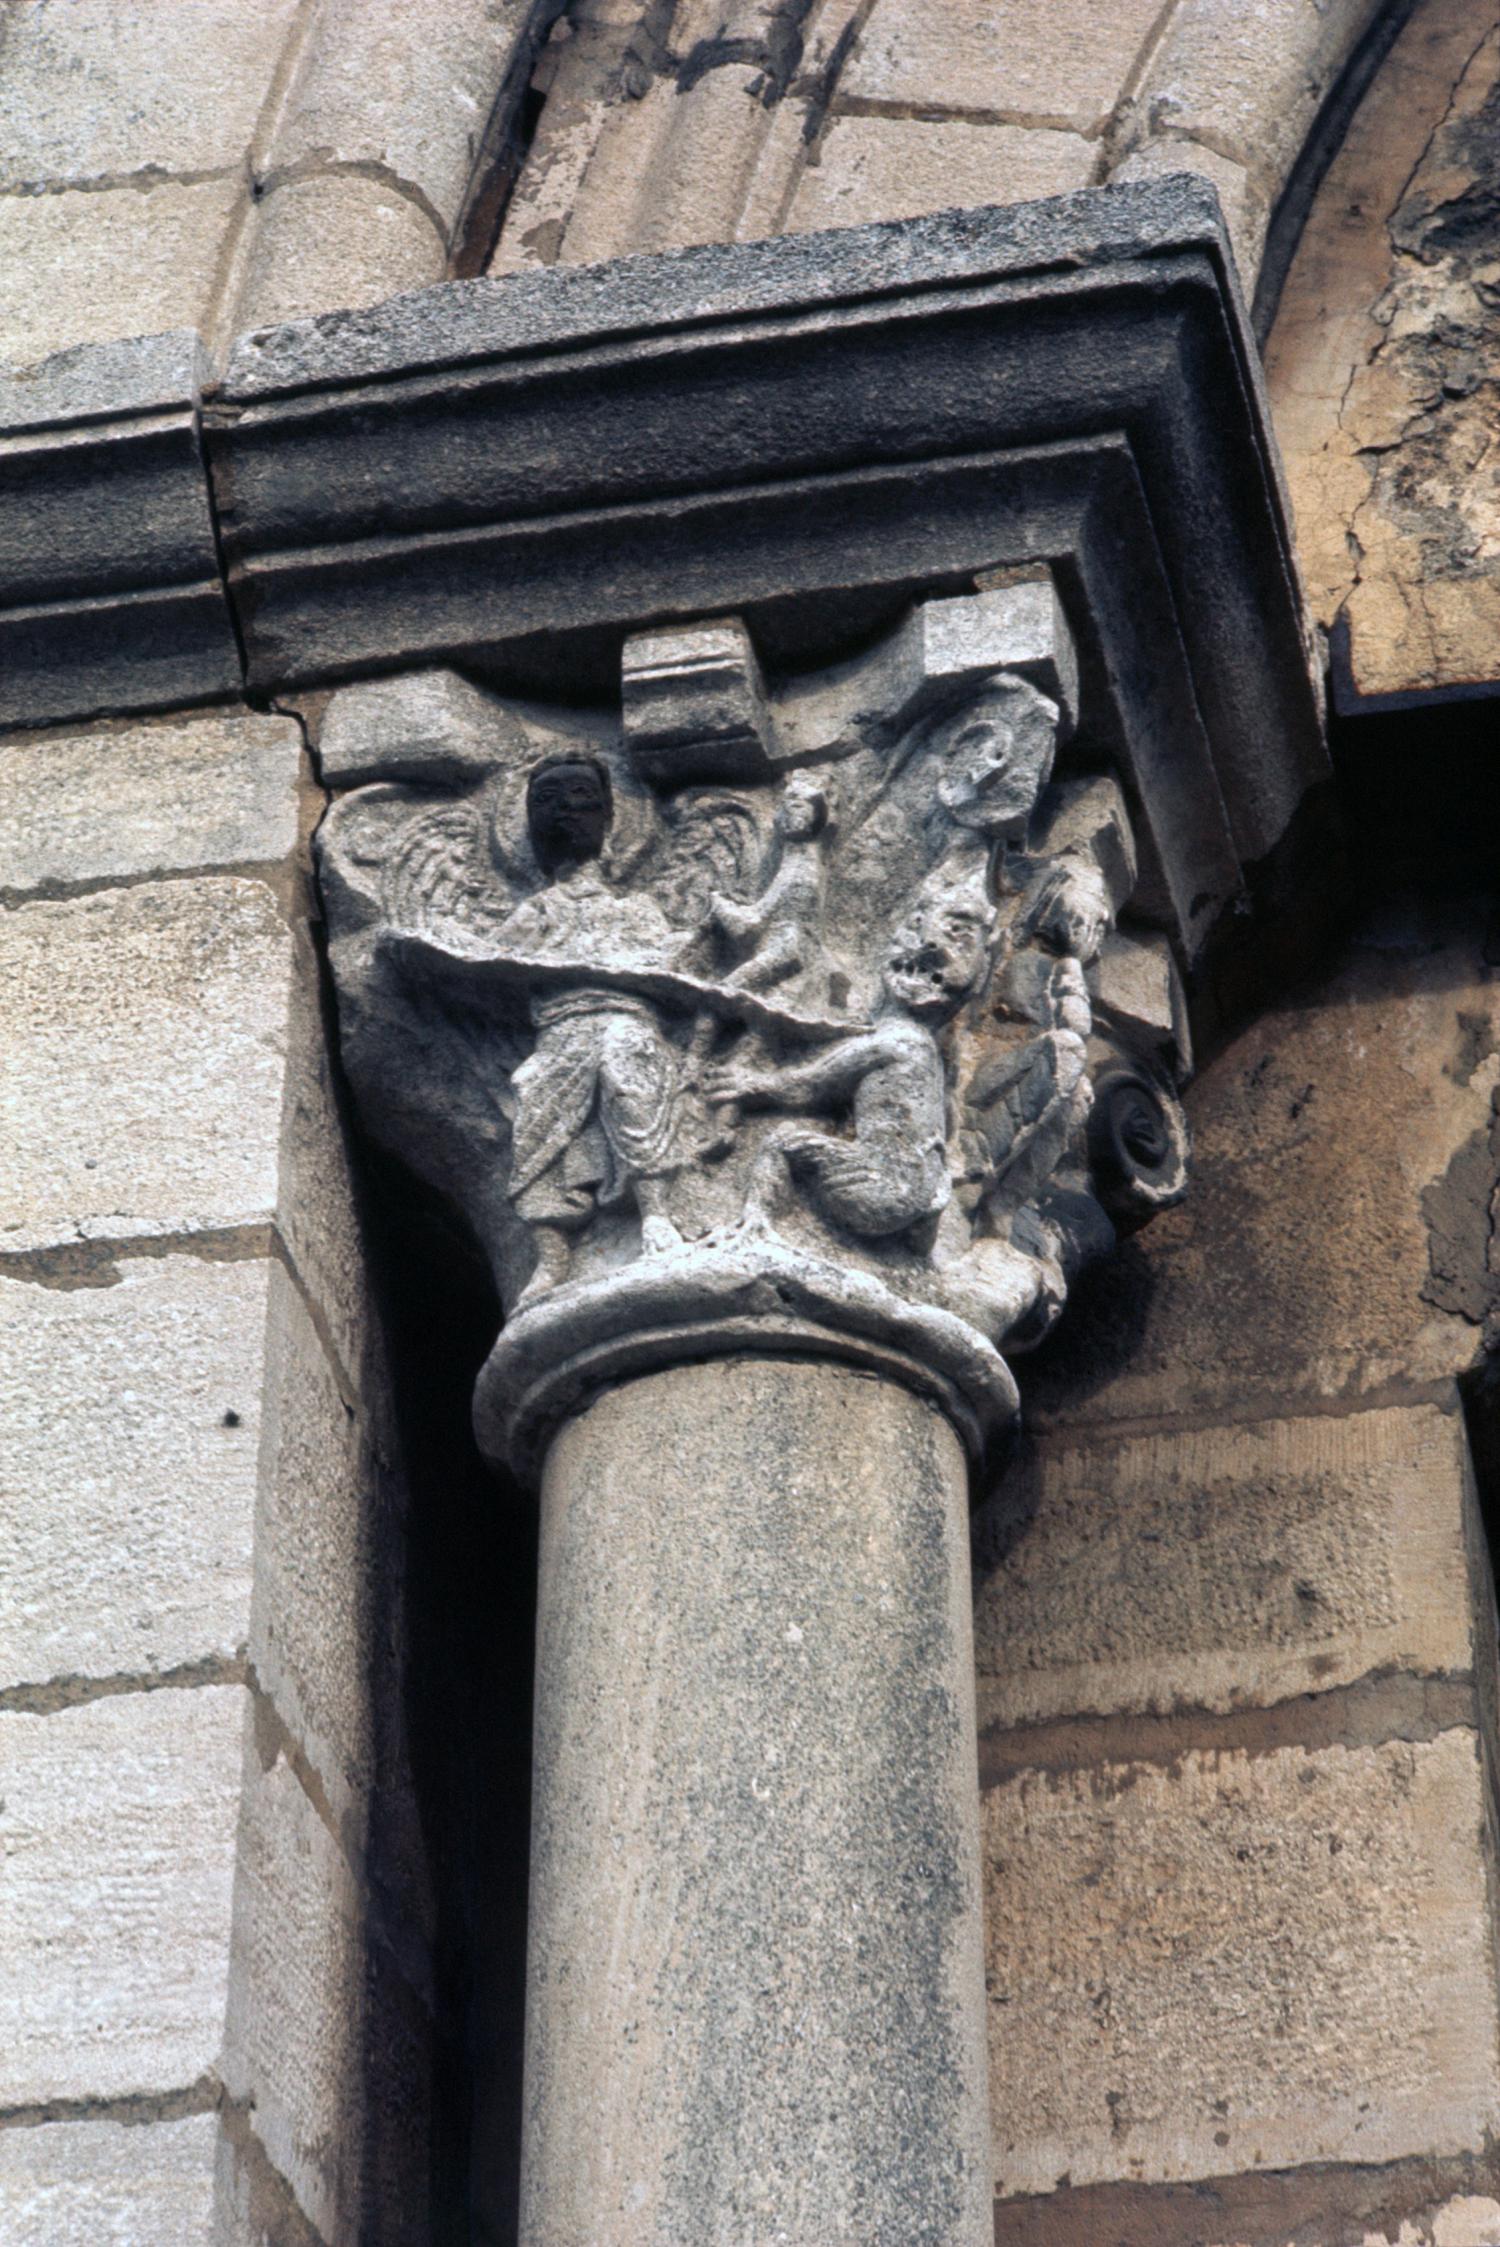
(1236, 1650)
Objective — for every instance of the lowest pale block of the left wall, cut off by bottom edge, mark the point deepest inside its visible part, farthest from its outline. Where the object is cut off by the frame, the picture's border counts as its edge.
(109, 2185)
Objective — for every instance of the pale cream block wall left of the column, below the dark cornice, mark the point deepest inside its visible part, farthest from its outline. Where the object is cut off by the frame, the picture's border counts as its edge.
(194, 1754)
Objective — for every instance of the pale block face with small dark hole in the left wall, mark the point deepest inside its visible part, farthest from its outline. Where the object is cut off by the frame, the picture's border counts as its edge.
(131, 1428)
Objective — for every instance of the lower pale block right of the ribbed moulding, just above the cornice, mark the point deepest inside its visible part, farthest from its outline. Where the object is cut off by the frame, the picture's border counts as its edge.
(895, 167)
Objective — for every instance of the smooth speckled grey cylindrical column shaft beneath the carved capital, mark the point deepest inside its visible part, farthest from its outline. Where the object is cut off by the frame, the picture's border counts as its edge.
(756, 2001)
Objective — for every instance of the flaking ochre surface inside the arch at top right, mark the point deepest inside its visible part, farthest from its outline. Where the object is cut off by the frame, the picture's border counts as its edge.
(1384, 365)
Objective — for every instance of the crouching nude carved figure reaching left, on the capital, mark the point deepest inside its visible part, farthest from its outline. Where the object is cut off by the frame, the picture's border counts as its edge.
(893, 1170)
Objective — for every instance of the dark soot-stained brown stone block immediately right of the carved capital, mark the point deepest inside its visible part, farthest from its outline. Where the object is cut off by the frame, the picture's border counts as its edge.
(1342, 1147)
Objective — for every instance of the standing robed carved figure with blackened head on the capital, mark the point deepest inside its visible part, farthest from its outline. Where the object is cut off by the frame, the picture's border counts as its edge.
(601, 1102)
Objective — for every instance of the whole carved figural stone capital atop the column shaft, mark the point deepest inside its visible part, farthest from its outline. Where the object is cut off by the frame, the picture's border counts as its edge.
(749, 1021)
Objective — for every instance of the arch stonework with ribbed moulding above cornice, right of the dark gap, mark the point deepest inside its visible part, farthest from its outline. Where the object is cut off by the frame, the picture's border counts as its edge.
(720, 127)
